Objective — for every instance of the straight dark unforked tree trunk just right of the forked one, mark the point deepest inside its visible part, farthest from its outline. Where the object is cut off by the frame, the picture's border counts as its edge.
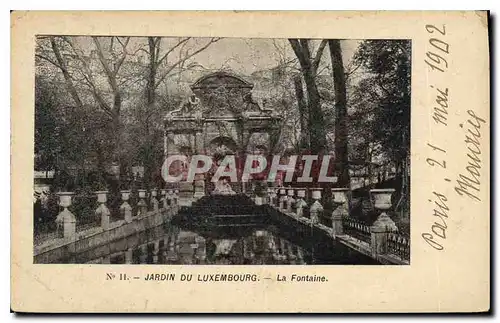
(339, 83)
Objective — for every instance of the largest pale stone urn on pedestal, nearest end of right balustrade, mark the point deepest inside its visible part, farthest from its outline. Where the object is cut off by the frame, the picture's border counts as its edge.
(380, 229)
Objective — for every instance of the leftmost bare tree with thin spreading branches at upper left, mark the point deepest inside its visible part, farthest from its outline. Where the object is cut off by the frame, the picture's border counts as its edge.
(78, 69)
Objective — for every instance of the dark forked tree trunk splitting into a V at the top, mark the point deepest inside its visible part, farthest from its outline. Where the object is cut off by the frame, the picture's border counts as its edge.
(309, 68)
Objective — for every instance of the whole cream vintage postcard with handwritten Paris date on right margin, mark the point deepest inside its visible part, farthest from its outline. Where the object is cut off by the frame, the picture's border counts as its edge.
(301, 162)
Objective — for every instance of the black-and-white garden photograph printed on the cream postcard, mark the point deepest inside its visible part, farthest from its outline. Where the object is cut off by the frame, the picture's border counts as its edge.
(227, 151)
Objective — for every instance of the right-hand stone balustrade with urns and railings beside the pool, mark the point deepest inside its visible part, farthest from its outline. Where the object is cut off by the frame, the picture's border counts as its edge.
(382, 238)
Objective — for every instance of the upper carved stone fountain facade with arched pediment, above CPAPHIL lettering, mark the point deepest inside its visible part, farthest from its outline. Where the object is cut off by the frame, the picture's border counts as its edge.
(220, 117)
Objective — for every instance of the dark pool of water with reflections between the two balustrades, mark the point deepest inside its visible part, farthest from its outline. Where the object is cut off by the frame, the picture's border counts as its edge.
(265, 244)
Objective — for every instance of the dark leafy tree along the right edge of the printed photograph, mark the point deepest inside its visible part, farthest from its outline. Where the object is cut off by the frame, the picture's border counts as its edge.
(387, 64)
